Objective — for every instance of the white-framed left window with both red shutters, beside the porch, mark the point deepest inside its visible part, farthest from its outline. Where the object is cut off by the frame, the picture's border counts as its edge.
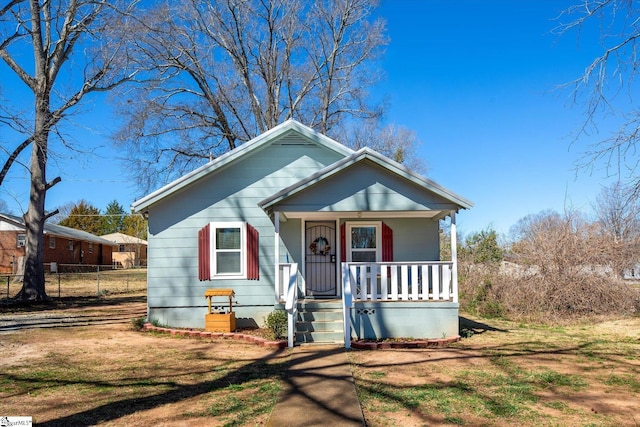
(228, 250)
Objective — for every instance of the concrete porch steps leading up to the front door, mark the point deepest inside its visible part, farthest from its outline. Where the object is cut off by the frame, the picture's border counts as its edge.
(319, 322)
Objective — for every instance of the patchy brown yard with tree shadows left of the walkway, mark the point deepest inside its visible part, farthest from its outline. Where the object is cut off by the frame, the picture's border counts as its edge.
(106, 373)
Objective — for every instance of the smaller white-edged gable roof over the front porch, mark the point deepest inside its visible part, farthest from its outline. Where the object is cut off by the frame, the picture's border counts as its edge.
(365, 154)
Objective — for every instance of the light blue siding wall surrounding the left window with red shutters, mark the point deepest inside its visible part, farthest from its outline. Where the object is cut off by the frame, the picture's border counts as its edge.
(175, 296)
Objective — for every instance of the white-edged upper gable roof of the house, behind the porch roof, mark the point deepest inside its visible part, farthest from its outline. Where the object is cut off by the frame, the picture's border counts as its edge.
(277, 132)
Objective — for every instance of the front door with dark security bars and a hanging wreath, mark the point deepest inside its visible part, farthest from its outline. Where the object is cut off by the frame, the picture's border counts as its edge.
(320, 259)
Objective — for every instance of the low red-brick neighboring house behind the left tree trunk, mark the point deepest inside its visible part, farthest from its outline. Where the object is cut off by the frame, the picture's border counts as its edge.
(62, 245)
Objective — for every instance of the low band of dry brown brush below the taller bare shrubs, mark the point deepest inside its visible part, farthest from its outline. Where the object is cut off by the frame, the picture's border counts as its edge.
(522, 294)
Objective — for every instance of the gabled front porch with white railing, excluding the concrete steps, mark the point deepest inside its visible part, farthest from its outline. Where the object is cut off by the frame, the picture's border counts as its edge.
(366, 230)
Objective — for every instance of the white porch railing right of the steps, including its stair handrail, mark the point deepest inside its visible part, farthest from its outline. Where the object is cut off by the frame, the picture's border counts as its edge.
(395, 281)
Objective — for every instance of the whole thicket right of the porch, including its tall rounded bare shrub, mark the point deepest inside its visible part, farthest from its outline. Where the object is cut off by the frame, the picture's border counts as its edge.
(560, 272)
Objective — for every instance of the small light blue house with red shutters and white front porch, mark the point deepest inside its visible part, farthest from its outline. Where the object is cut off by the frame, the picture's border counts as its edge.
(354, 231)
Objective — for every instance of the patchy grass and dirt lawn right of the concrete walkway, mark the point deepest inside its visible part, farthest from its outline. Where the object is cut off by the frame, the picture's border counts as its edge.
(512, 378)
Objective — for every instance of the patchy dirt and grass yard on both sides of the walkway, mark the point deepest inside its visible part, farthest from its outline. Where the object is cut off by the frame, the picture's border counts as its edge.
(94, 369)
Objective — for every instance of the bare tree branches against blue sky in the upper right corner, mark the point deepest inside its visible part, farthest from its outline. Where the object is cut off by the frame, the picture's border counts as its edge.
(607, 88)
